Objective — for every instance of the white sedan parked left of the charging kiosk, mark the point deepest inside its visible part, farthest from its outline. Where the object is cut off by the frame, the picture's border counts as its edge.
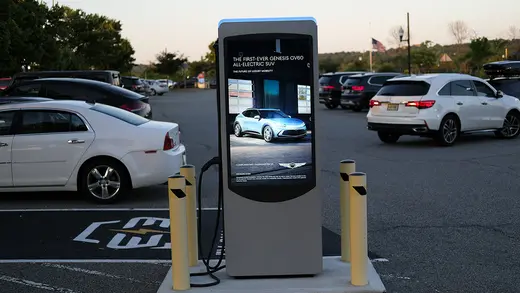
(99, 150)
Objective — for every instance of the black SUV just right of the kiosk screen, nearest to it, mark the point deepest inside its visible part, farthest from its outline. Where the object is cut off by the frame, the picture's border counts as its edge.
(330, 87)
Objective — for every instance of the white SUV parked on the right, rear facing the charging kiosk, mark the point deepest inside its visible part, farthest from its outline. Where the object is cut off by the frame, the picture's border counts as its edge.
(442, 106)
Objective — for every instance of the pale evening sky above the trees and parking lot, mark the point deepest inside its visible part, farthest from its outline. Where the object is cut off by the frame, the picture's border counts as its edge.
(188, 27)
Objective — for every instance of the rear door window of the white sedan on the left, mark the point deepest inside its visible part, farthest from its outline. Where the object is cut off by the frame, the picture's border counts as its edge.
(49, 121)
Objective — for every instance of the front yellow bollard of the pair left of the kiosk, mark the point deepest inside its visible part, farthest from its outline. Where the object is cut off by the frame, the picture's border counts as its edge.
(179, 232)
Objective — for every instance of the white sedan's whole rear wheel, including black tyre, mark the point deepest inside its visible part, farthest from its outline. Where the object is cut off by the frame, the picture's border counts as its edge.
(104, 181)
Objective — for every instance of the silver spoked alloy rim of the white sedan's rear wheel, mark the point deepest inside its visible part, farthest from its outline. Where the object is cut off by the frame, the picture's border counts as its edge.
(103, 182)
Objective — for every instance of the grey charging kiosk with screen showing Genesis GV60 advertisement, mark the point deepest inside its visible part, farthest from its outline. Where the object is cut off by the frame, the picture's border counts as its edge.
(268, 76)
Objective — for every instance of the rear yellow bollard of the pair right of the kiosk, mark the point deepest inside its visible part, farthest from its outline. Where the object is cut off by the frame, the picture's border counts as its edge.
(346, 167)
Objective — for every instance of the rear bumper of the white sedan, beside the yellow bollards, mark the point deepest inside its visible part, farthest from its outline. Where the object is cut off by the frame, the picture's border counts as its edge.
(148, 169)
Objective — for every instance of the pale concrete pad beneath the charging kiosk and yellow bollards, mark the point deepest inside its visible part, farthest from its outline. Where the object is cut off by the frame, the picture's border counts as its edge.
(335, 278)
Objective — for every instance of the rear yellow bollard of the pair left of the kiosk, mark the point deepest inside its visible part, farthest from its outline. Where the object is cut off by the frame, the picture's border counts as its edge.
(188, 171)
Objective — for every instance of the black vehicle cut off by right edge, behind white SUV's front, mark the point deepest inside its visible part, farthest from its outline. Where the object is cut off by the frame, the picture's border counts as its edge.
(504, 76)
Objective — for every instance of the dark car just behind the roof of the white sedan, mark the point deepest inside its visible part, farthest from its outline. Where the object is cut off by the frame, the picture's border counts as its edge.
(80, 89)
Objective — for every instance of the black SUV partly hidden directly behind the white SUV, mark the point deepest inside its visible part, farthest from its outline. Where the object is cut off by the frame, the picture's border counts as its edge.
(360, 88)
